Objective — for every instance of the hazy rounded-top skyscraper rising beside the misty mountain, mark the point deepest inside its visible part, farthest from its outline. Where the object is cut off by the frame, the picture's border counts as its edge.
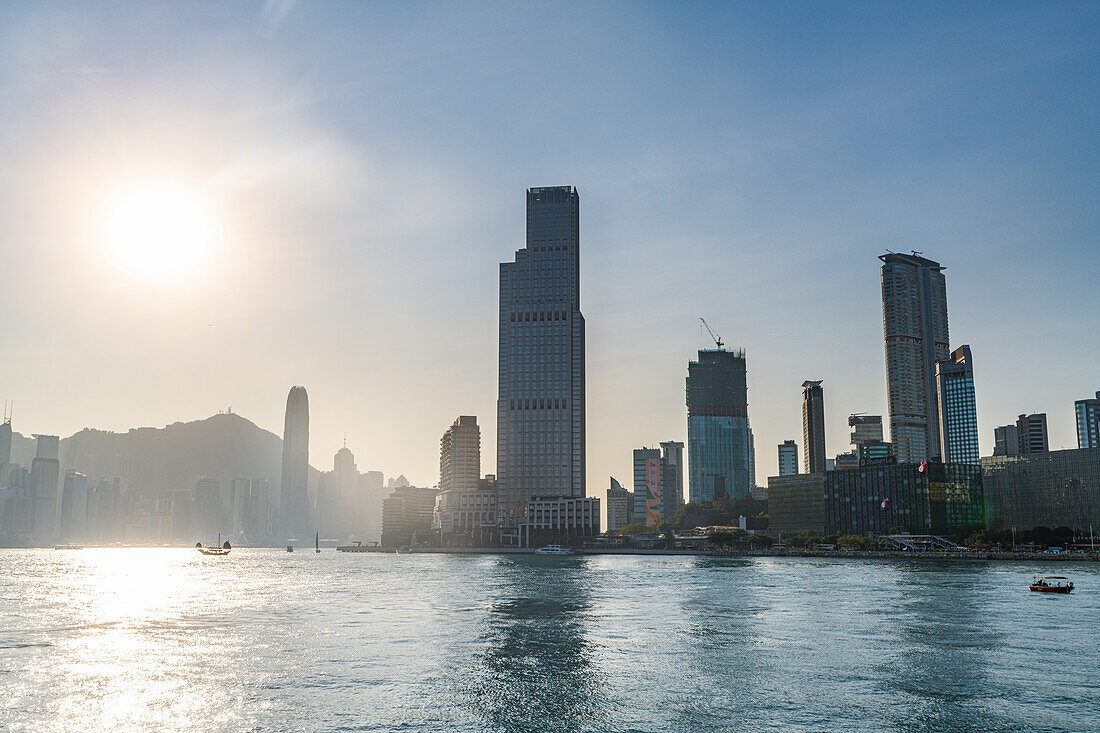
(294, 490)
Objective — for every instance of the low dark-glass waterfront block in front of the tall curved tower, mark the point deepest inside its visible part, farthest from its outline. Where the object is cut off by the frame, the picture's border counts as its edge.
(919, 499)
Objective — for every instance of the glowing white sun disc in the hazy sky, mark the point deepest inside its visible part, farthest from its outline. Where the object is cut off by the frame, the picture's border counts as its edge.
(160, 232)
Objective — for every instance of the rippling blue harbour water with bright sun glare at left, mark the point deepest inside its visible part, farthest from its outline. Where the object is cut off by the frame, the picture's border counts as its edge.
(140, 640)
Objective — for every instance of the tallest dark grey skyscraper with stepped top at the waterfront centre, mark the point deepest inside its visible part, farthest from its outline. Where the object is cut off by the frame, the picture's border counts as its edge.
(541, 400)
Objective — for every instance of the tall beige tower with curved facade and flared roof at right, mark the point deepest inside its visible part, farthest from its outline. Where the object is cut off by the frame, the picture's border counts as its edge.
(915, 324)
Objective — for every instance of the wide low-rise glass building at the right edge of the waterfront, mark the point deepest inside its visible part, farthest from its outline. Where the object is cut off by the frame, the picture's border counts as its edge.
(1049, 489)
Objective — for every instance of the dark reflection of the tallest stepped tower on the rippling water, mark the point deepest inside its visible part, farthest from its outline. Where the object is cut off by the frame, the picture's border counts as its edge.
(536, 671)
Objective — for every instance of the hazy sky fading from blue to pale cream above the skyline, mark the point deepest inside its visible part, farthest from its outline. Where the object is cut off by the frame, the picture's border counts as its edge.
(361, 171)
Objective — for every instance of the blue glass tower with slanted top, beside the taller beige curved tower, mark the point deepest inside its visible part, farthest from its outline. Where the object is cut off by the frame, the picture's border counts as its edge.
(959, 413)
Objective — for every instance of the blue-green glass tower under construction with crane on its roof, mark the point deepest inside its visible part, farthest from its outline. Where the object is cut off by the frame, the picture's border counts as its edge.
(720, 440)
